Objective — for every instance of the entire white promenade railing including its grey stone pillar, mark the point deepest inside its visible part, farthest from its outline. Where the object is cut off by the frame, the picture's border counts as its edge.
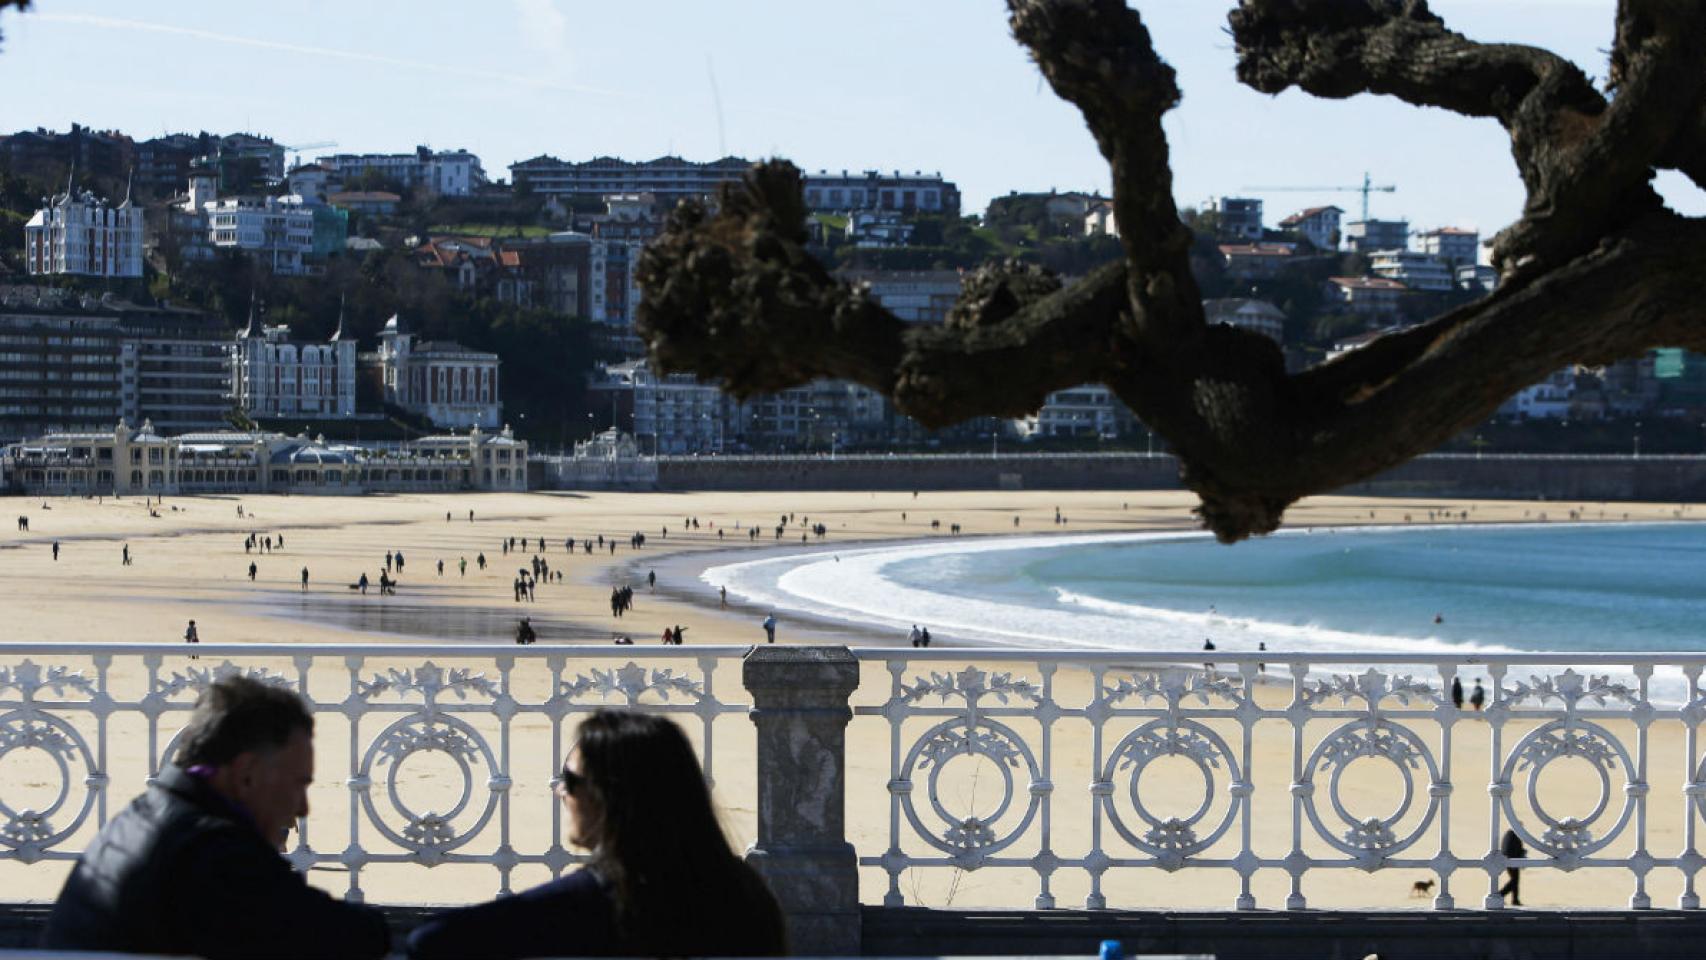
(1069, 768)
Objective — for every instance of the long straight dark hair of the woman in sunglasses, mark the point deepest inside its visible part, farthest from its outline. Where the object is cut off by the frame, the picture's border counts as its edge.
(678, 888)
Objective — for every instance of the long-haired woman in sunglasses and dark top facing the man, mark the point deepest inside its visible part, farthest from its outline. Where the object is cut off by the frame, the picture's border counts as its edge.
(663, 881)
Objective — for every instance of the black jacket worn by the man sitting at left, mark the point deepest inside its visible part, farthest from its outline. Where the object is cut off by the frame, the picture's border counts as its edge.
(183, 872)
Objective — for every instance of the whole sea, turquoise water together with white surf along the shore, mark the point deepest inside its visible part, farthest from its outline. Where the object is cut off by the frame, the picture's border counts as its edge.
(1415, 589)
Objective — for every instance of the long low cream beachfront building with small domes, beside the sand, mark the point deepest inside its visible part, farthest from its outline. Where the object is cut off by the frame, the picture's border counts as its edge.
(125, 461)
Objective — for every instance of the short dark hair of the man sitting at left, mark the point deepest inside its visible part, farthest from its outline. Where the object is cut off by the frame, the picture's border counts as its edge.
(238, 715)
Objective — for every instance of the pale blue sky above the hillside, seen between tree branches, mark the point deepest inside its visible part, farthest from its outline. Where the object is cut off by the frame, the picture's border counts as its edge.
(934, 86)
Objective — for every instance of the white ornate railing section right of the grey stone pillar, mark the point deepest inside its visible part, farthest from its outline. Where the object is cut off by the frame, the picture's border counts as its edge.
(1007, 710)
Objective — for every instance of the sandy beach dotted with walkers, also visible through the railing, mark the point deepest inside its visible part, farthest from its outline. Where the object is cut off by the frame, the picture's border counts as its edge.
(189, 562)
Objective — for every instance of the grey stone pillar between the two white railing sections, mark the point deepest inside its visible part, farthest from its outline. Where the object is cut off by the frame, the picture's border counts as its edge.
(801, 710)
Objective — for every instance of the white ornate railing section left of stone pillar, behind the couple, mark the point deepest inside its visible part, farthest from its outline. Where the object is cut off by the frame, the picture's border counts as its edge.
(78, 710)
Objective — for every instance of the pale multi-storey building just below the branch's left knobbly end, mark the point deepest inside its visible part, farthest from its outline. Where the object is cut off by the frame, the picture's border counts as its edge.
(671, 413)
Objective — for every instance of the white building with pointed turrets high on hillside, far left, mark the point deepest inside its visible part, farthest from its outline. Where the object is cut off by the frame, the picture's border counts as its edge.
(79, 234)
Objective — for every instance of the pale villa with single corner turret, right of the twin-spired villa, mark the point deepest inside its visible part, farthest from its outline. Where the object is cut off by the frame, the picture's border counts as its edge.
(443, 381)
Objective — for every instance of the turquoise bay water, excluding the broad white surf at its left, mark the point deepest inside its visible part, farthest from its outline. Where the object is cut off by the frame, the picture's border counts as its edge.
(1536, 587)
